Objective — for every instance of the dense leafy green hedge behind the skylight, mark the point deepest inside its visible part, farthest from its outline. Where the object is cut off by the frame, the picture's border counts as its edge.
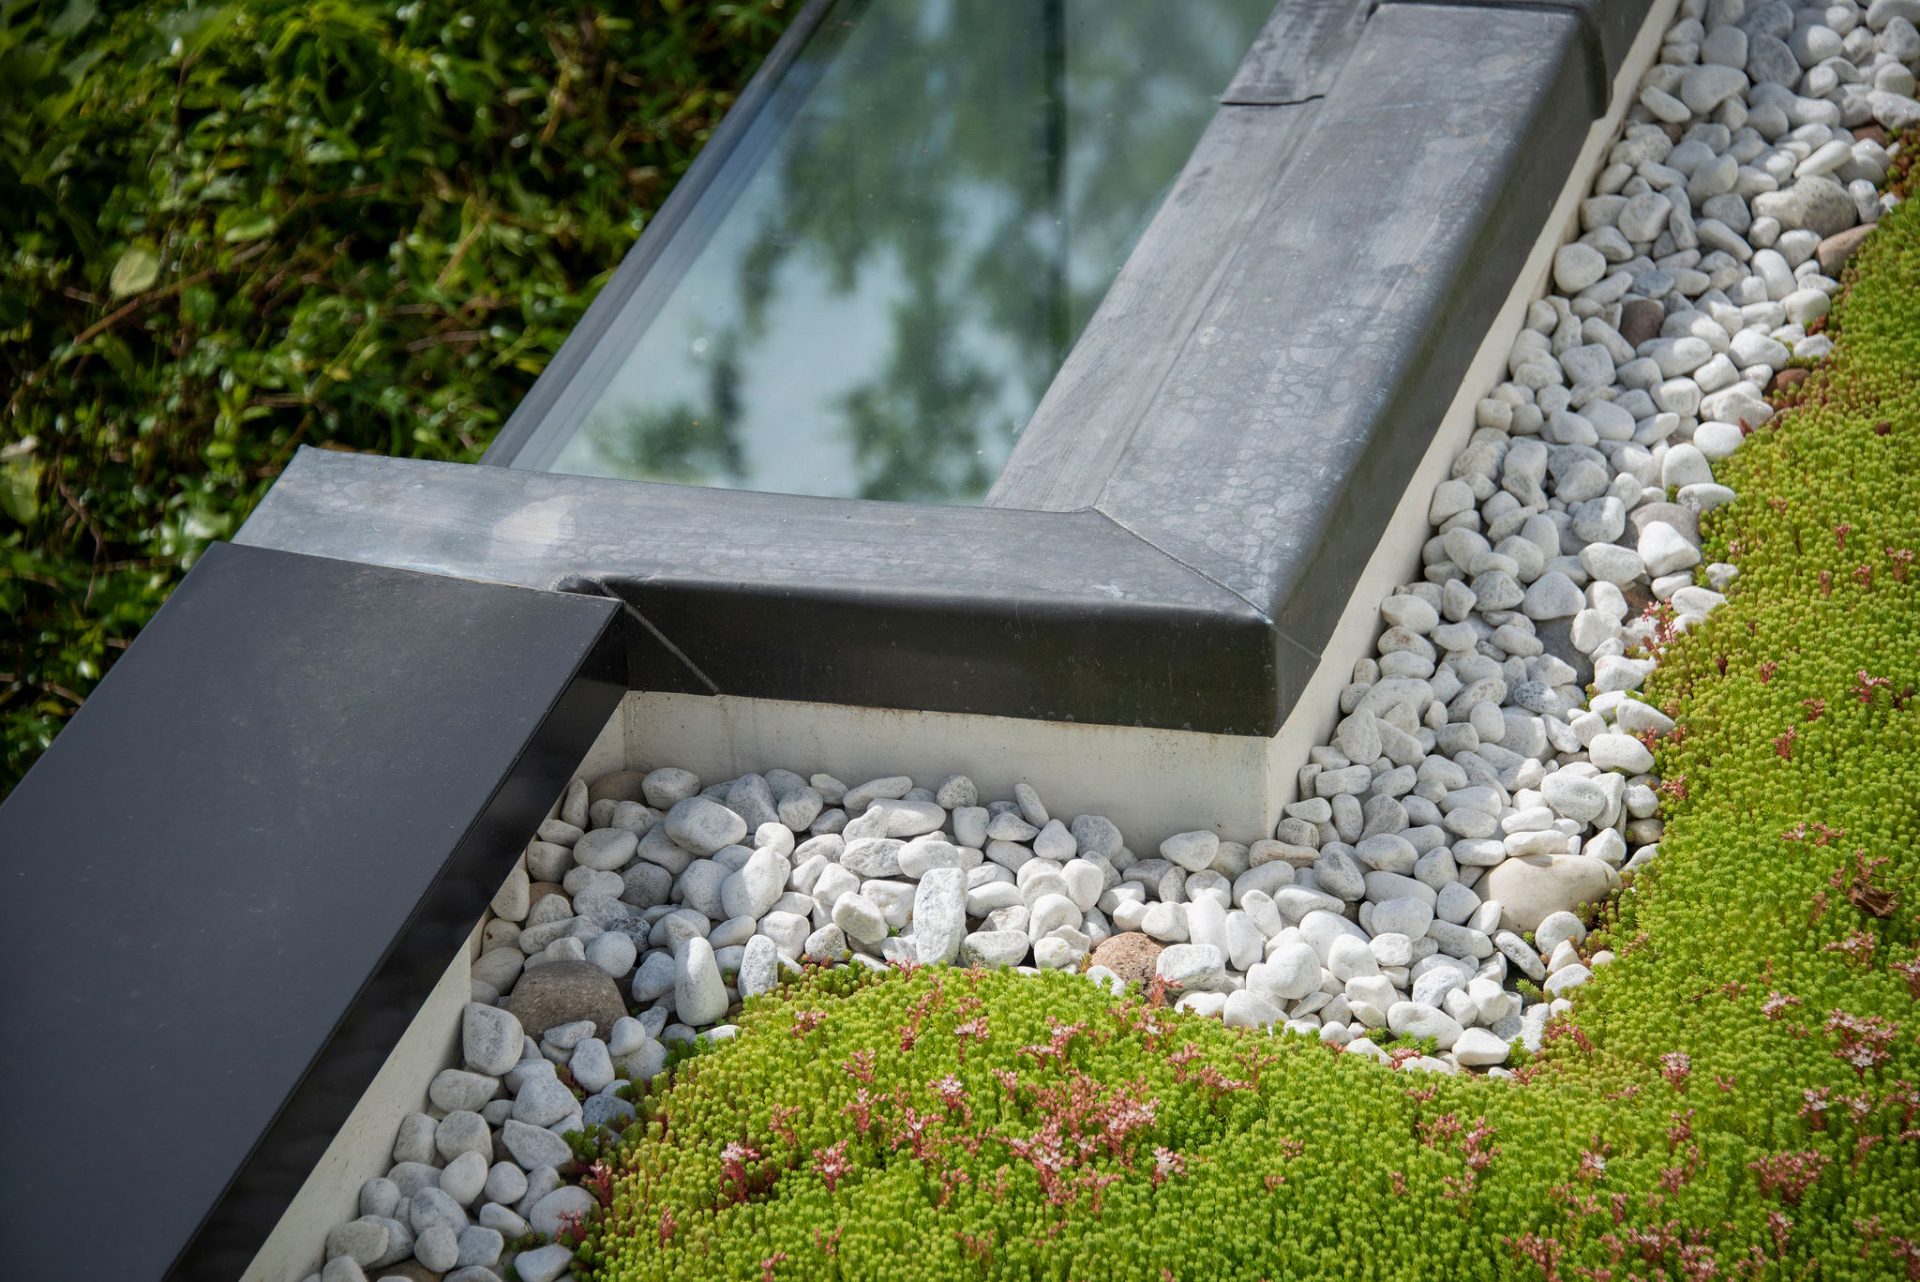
(237, 229)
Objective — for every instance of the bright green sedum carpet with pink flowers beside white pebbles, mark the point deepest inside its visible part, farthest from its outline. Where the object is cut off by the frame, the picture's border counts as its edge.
(1737, 1097)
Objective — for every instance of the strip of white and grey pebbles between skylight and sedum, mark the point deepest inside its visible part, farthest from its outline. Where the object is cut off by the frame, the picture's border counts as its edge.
(1487, 778)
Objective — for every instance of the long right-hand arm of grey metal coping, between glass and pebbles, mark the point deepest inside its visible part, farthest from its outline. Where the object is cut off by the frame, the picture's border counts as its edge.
(1312, 387)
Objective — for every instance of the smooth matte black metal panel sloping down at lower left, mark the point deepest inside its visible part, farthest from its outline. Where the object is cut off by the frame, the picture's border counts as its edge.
(251, 857)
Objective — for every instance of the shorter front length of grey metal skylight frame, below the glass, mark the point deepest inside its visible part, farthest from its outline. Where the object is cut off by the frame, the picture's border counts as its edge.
(892, 605)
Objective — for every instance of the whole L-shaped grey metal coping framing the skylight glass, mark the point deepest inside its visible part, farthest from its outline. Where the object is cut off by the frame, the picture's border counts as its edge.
(1184, 521)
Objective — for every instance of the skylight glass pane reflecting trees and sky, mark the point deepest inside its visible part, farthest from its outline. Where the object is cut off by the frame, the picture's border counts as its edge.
(890, 270)
